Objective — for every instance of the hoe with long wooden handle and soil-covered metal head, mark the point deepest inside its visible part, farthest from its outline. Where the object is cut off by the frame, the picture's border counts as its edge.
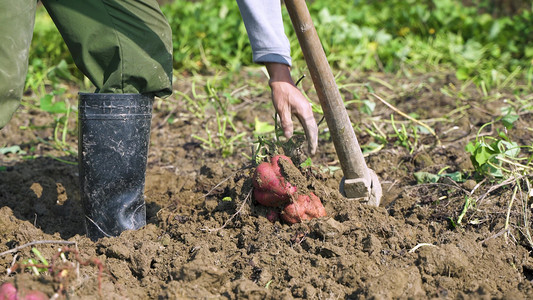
(360, 182)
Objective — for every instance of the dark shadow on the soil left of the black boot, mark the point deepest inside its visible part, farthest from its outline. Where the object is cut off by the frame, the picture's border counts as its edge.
(45, 192)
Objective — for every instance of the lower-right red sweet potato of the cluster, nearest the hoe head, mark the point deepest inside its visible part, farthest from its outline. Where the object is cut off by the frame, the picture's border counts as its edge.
(305, 207)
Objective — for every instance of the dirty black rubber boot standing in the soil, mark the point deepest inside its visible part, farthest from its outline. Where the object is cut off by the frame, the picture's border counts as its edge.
(114, 133)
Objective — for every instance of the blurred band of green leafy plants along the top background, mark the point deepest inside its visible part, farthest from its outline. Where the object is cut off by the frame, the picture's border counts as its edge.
(493, 51)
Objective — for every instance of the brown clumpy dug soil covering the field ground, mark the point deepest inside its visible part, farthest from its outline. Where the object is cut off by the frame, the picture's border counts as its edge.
(206, 238)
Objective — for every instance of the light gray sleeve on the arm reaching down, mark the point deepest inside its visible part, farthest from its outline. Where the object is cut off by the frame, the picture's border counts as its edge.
(264, 25)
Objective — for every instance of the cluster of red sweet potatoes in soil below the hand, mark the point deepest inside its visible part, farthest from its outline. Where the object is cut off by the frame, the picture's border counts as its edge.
(272, 189)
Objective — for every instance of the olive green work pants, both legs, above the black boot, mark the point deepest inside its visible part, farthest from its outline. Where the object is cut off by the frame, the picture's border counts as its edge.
(122, 46)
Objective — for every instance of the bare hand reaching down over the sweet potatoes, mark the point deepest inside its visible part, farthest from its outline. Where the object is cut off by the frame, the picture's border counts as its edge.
(288, 100)
